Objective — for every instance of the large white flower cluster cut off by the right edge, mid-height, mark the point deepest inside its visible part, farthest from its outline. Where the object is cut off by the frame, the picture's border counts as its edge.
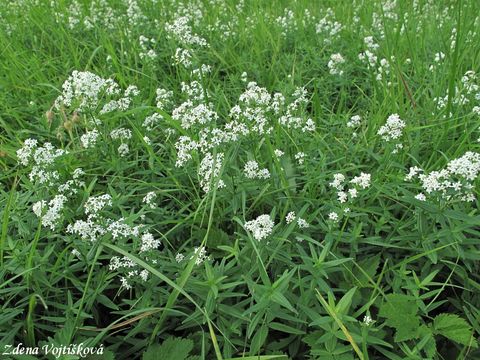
(454, 182)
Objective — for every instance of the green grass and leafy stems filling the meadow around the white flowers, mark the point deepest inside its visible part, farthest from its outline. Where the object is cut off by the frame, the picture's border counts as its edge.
(410, 265)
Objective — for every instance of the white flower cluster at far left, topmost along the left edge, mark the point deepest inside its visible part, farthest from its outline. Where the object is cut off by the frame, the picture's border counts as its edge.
(42, 158)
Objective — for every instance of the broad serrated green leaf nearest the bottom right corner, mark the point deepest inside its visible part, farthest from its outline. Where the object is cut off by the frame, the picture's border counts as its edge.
(454, 328)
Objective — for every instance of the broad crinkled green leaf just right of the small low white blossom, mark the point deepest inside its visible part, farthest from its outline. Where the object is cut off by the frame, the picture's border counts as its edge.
(401, 313)
